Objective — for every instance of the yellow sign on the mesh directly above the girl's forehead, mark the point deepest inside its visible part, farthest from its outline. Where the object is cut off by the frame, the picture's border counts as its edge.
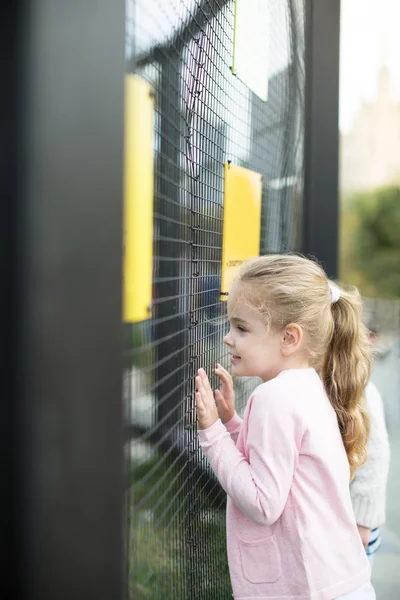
(242, 221)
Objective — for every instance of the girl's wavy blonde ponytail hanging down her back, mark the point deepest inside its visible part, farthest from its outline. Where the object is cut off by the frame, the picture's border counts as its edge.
(345, 374)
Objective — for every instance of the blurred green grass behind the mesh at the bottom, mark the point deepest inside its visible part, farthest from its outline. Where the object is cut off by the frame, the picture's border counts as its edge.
(163, 515)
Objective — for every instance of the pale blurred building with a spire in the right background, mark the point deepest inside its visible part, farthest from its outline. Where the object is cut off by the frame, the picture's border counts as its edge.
(370, 152)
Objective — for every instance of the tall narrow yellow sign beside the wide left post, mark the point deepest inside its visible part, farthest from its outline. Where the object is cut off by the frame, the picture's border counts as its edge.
(138, 213)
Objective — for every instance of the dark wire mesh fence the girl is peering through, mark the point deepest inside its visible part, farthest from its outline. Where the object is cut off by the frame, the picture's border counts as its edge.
(204, 117)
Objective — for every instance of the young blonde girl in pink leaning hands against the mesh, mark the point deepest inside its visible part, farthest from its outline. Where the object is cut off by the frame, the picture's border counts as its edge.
(291, 532)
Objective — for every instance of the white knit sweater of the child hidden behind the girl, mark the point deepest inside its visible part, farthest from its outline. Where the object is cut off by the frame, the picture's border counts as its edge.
(368, 488)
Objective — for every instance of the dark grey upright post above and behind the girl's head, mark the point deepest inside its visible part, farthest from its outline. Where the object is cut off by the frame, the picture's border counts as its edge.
(321, 198)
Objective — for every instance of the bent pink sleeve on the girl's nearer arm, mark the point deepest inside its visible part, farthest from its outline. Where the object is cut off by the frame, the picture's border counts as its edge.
(259, 485)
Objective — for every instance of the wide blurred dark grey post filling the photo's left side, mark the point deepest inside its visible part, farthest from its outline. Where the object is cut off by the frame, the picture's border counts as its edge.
(63, 230)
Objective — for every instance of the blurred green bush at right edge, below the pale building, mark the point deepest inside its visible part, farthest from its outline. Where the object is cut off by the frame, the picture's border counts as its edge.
(370, 242)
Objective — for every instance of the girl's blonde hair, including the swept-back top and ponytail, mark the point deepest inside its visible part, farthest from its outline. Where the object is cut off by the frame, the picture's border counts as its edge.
(292, 289)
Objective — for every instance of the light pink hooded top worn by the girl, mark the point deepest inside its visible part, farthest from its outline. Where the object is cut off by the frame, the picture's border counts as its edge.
(291, 532)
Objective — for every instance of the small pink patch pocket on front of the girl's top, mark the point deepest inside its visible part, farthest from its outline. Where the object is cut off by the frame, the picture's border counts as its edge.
(261, 561)
